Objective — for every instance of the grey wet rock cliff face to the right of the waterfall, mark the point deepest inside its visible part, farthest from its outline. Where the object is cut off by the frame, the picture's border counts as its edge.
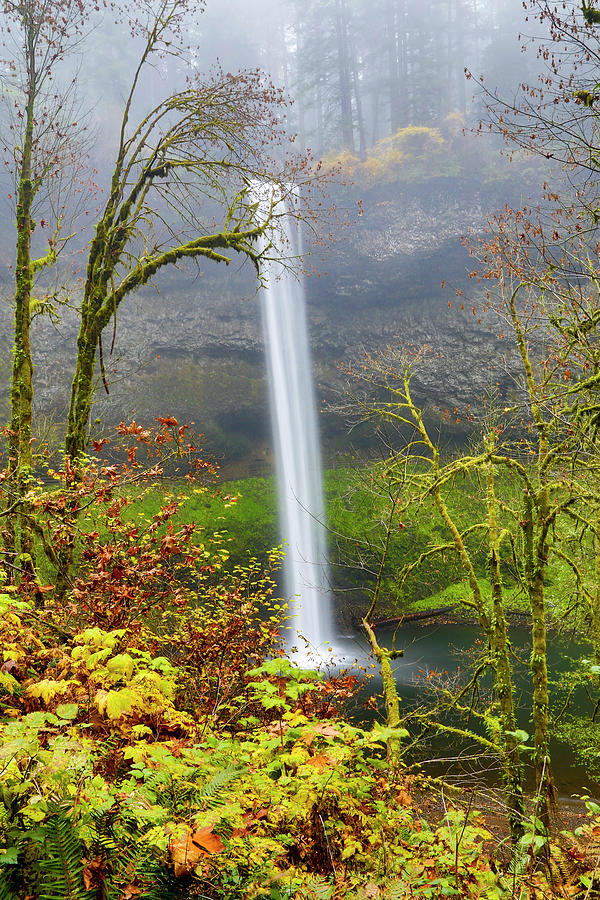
(384, 289)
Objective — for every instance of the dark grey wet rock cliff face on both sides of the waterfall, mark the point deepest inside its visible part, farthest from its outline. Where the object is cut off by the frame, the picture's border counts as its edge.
(192, 346)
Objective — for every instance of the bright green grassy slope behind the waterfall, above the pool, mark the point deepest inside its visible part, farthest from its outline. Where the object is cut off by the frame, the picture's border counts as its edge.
(356, 514)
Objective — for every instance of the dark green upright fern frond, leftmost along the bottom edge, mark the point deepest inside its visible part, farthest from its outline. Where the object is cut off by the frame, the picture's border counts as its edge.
(60, 865)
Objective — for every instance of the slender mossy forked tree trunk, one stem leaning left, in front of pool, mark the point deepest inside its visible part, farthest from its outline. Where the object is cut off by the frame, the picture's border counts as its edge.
(434, 486)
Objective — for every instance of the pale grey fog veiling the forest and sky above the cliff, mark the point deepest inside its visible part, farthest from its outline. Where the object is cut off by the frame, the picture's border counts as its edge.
(355, 72)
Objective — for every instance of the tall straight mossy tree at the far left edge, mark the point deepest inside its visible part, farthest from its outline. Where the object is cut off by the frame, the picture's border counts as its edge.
(40, 140)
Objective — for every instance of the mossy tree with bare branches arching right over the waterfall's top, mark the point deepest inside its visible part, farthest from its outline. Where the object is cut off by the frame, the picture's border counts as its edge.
(181, 189)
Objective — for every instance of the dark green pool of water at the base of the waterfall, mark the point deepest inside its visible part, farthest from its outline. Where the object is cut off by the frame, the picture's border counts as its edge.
(444, 656)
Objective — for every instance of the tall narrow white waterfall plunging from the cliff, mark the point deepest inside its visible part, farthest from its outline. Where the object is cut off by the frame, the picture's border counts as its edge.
(297, 450)
